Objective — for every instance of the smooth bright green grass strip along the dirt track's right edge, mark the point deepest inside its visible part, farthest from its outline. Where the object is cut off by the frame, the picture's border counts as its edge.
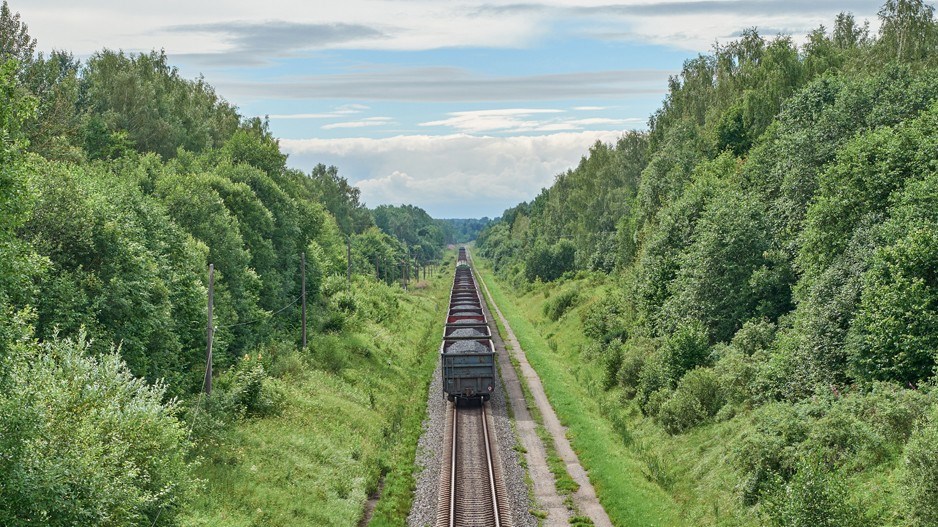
(615, 469)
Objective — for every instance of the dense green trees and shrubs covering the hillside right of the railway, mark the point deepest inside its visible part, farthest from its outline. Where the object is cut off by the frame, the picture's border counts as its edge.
(773, 241)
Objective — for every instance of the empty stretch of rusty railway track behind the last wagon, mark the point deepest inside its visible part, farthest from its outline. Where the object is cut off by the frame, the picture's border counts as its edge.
(472, 490)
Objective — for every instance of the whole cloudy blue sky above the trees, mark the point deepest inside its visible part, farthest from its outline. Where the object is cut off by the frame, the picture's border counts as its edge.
(461, 108)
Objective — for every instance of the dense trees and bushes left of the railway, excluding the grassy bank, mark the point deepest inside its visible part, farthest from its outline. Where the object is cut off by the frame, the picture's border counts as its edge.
(120, 182)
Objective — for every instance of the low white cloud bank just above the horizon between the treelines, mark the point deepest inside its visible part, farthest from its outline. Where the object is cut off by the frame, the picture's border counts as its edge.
(455, 175)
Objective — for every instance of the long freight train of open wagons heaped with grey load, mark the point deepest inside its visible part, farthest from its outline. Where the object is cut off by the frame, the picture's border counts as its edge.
(467, 352)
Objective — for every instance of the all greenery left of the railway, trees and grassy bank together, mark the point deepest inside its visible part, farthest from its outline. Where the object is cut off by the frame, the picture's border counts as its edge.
(120, 182)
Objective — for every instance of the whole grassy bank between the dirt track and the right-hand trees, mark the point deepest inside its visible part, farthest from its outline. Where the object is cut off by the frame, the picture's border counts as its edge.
(693, 473)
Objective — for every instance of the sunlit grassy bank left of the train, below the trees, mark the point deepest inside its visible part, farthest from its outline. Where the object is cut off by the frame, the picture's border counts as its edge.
(316, 462)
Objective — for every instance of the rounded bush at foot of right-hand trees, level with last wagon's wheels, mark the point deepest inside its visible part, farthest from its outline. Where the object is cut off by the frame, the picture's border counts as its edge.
(698, 398)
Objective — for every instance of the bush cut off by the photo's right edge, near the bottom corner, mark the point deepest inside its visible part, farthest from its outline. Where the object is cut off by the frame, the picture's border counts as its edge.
(919, 481)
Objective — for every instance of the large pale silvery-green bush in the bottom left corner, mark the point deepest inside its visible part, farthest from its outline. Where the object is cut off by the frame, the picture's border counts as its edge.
(82, 442)
